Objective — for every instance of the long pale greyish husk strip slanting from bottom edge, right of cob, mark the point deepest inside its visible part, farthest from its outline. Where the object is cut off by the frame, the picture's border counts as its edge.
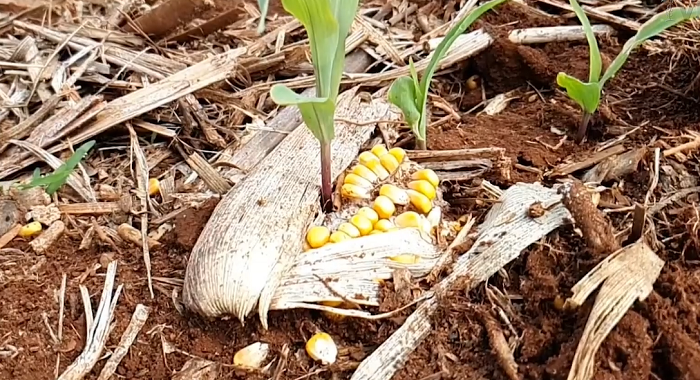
(506, 231)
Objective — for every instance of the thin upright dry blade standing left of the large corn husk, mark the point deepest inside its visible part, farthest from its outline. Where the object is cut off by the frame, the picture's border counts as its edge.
(141, 177)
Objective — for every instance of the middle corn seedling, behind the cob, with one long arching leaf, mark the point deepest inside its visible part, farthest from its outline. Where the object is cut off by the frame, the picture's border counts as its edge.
(411, 95)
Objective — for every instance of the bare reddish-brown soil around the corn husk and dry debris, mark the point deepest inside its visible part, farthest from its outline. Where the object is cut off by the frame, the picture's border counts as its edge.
(659, 338)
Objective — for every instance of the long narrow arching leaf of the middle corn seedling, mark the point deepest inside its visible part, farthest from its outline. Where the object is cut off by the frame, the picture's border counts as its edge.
(440, 52)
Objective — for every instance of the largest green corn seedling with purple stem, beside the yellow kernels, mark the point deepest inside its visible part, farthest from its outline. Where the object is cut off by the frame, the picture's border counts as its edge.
(327, 23)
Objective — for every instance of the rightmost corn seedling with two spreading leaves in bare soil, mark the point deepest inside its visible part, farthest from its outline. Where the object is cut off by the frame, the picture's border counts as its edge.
(587, 94)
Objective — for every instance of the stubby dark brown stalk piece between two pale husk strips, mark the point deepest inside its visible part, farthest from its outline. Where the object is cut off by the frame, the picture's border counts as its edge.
(595, 227)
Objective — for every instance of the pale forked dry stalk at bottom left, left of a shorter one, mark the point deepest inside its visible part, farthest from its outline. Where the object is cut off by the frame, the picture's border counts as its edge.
(98, 329)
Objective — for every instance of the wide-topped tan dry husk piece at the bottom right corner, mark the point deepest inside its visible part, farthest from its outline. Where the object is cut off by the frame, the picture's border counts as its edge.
(626, 276)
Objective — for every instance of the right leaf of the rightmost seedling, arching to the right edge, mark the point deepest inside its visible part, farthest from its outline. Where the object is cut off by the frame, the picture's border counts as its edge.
(653, 27)
